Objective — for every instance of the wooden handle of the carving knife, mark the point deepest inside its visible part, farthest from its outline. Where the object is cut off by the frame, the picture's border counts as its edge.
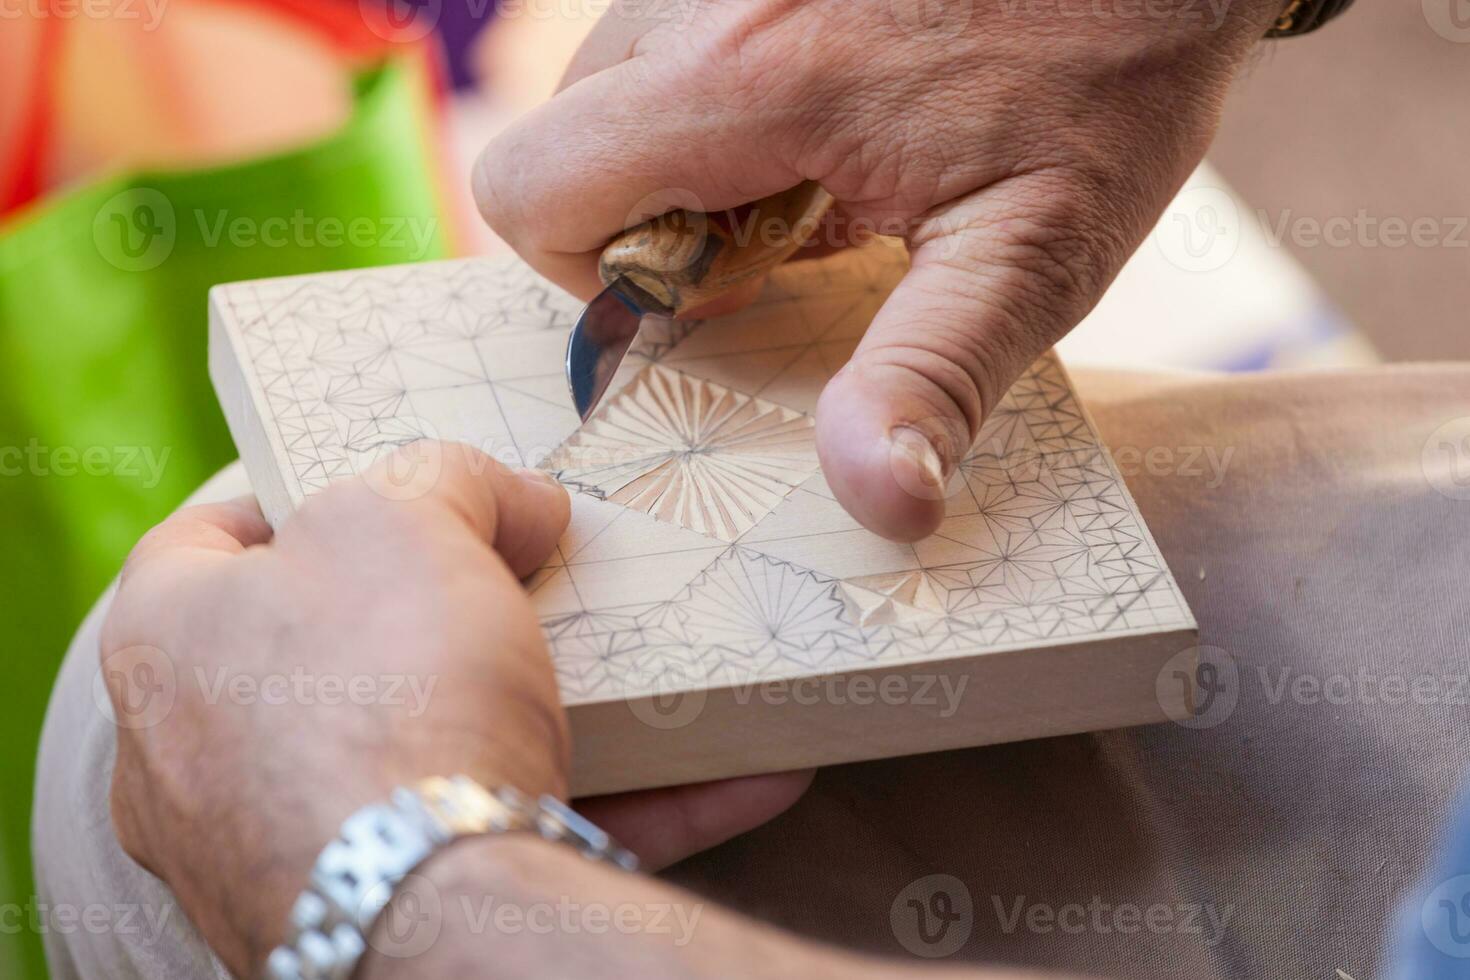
(686, 259)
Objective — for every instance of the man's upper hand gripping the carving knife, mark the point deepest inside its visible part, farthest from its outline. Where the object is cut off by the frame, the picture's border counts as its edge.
(1021, 148)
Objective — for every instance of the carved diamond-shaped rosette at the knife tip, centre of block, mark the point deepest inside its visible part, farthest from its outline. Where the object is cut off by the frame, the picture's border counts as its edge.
(692, 453)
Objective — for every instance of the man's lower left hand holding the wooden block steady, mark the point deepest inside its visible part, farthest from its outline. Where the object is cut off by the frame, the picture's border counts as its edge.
(268, 687)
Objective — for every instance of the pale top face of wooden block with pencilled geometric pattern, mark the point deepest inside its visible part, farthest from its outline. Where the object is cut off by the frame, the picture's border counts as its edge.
(705, 544)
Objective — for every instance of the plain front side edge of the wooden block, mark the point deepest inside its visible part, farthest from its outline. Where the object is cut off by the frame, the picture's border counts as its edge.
(617, 752)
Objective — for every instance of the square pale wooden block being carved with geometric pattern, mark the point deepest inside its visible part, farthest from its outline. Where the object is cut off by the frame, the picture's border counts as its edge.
(712, 610)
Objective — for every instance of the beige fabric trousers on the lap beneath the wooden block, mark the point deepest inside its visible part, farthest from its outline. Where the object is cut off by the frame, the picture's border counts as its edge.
(1316, 552)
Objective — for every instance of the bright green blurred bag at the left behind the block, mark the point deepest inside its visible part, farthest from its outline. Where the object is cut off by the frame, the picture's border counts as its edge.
(107, 393)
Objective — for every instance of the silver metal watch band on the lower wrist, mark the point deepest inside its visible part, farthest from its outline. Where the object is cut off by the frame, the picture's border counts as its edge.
(356, 875)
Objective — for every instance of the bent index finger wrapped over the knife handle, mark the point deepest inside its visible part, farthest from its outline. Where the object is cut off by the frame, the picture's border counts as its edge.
(630, 143)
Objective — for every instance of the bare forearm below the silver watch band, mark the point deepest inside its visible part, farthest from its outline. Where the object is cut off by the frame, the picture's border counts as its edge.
(515, 907)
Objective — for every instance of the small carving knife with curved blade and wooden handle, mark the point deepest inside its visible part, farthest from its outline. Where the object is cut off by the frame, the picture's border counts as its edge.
(675, 264)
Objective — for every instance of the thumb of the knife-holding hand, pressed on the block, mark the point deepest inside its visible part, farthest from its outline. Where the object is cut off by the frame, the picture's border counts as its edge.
(993, 284)
